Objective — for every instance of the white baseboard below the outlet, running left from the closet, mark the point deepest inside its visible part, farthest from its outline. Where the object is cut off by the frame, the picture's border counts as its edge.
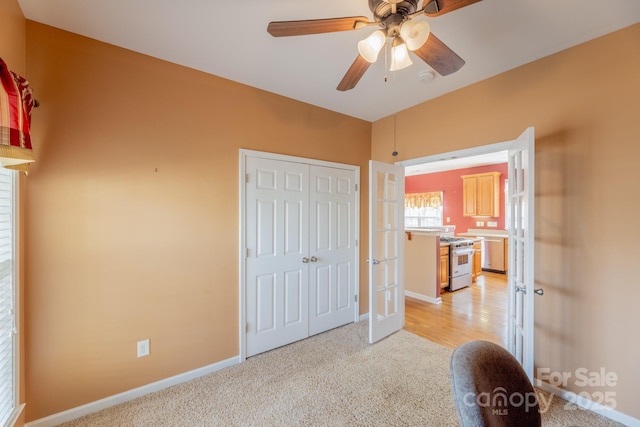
(98, 405)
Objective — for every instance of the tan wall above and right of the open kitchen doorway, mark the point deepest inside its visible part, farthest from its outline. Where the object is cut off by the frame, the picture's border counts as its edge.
(584, 104)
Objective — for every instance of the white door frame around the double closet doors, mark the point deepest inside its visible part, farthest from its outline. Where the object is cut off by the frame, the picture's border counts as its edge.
(243, 154)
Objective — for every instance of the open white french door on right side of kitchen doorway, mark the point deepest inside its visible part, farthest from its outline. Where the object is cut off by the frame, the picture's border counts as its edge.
(520, 324)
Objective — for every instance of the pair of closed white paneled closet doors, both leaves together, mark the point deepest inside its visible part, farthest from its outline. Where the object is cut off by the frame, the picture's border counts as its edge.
(300, 249)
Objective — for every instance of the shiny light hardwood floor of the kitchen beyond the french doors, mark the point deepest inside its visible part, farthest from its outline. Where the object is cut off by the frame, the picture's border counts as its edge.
(476, 312)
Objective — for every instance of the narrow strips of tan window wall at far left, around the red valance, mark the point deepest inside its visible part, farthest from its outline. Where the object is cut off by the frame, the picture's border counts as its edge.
(12, 51)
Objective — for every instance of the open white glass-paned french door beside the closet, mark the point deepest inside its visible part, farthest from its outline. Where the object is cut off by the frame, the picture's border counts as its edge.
(386, 249)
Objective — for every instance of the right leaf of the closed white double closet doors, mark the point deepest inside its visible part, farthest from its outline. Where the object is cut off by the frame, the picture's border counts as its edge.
(332, 238)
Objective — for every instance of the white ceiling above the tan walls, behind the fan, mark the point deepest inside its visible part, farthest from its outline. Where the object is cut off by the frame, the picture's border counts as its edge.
(229, 39)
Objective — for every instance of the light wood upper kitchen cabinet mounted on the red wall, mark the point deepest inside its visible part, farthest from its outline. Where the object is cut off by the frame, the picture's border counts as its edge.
(481, 194)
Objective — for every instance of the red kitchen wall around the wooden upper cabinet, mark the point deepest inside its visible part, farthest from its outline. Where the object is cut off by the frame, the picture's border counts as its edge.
(450, 183)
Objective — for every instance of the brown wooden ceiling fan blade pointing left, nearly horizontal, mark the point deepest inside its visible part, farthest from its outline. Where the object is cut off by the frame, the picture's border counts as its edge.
(314, 26)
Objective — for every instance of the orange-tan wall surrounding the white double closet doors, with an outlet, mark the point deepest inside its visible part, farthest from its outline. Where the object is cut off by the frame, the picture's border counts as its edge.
(132, 212)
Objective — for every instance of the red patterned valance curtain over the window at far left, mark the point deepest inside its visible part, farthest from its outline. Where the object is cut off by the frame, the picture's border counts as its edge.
(16, 103)
